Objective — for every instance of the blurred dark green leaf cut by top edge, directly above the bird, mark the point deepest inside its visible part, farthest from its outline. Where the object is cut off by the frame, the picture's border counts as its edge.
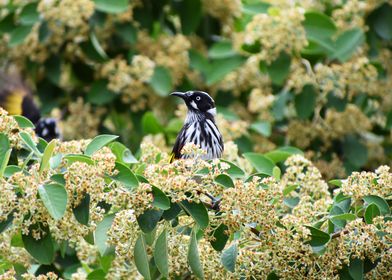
(190, 12)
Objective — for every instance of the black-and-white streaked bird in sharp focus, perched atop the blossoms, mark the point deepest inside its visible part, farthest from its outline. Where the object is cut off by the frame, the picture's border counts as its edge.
(199, 127)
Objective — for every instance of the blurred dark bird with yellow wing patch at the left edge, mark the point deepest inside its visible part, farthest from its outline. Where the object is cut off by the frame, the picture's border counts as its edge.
(17, 99)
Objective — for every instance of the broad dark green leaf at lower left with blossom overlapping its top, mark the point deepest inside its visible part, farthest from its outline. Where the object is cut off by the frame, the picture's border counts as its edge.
(42, 249)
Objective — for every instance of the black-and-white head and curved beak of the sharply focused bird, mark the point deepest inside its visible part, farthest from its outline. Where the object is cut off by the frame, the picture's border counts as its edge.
(198, 101)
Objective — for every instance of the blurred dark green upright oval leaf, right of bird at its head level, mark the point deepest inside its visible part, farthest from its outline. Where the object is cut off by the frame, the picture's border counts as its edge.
(305, 102)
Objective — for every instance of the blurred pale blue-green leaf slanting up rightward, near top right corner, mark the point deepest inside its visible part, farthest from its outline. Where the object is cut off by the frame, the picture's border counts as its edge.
(347, 44)
